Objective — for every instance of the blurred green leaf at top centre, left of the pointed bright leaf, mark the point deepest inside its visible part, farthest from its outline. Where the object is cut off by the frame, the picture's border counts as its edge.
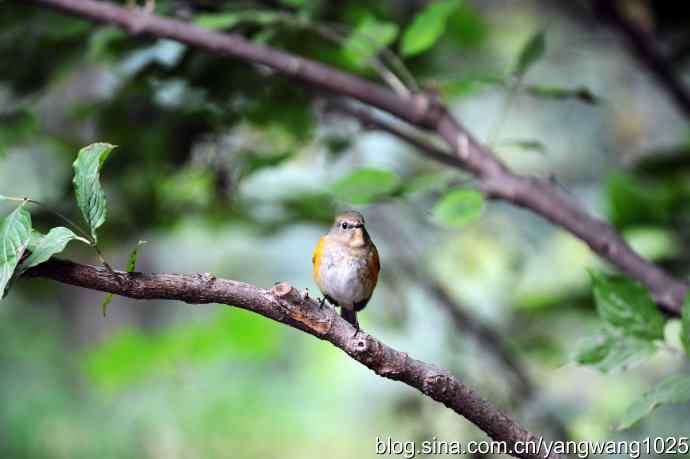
(368, 38)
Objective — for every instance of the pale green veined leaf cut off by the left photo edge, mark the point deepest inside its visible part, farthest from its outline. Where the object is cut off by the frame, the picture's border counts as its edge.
(15, 235)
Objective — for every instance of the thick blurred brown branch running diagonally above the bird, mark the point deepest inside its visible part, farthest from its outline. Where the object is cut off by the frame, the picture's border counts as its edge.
(420, 110)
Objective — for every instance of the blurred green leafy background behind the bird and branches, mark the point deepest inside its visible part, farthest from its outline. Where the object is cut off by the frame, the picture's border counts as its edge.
(225, 168)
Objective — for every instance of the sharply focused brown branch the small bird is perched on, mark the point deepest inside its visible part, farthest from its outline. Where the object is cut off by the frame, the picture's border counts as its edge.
(283, 303)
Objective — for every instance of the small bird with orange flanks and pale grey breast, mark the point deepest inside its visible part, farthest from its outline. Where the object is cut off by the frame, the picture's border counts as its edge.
(346, 265)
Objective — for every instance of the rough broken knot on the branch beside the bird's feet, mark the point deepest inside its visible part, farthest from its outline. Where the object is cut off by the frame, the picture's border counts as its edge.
(301, 308)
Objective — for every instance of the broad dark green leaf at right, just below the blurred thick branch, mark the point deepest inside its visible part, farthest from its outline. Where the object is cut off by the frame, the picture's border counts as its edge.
(627, 306)
